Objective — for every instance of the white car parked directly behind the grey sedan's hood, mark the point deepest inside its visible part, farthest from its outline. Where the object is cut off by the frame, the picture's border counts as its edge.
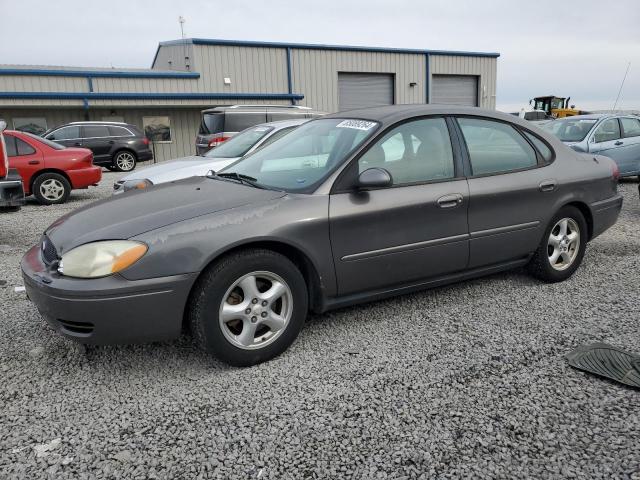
(244, 143)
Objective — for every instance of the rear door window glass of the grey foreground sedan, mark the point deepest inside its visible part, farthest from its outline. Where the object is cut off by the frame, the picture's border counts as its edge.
(495, 147)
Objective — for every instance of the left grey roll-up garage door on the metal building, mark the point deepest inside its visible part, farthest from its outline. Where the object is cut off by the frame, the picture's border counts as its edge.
(359, 90)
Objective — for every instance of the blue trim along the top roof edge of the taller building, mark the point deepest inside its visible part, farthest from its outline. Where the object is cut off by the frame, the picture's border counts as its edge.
(311, 46)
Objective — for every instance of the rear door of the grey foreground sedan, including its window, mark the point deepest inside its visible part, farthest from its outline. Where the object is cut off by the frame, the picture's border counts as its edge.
(511, 190)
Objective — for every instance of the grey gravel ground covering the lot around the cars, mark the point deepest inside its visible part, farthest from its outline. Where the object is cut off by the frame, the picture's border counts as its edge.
(467, 380)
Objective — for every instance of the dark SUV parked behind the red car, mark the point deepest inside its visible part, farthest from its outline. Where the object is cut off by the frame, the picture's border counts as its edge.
(115, 145)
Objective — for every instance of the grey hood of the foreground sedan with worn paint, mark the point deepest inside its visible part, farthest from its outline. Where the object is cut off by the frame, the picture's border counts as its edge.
(139, 211)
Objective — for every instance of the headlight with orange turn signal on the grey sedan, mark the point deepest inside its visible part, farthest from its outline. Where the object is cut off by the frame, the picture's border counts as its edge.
(100, 259)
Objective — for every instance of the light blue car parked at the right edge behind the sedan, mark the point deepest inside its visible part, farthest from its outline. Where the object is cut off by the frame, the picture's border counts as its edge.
(613, 135)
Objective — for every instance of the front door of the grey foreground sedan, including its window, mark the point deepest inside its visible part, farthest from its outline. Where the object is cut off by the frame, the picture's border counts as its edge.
(413, 230)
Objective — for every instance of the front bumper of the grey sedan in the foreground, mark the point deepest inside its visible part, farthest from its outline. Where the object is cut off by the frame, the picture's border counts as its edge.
(109, 310)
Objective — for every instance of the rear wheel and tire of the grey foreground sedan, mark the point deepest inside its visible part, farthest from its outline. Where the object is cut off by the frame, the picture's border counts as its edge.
(558, 257)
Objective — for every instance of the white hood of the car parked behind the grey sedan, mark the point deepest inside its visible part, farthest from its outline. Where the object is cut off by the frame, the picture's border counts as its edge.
(181, 168)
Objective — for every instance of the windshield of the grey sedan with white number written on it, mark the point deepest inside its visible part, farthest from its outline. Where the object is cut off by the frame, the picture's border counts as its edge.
(302, 159)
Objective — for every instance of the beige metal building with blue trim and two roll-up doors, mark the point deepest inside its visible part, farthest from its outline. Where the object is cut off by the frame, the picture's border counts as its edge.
(189, 75)
